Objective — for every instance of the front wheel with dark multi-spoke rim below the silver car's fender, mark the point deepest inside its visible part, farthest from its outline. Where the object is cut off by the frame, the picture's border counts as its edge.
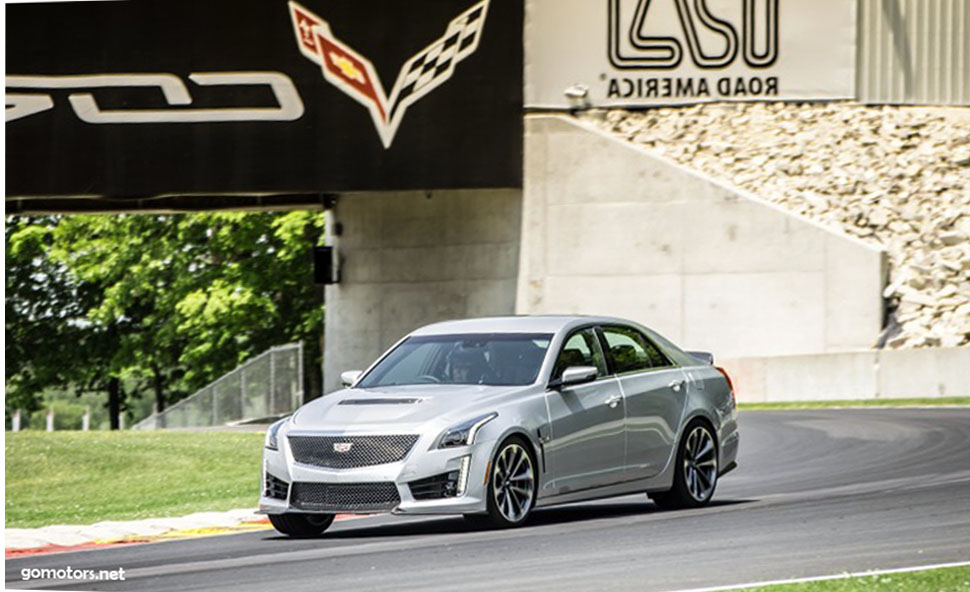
(512, 487)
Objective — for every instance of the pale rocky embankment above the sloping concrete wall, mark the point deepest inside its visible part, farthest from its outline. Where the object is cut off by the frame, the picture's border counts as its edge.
(898, 177)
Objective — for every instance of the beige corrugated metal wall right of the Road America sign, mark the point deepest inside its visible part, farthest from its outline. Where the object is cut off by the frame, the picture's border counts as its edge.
(914, 52)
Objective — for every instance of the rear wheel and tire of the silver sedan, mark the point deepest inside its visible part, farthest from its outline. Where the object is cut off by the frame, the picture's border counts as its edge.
(695, 474)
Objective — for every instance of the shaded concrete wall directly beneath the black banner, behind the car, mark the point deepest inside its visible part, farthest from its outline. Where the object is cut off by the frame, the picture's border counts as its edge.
(413, 258)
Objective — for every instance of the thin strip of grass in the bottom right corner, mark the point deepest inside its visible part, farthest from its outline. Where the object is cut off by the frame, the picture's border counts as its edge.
(949, 579)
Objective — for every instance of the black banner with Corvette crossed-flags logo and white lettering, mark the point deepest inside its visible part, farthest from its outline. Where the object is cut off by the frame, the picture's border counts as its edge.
(143, 97)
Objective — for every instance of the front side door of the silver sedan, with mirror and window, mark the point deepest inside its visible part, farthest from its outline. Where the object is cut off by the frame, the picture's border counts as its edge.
(586, 445)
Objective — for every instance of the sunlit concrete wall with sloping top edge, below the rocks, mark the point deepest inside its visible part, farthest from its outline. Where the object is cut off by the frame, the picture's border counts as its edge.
(609, 228)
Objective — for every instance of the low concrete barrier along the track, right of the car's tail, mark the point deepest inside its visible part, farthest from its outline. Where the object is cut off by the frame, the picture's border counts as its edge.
(883, 374)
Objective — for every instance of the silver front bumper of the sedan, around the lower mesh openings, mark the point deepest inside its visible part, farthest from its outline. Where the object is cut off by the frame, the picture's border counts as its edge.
(420, 463)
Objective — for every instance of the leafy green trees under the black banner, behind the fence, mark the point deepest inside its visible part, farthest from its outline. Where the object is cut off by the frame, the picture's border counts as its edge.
(170, 303)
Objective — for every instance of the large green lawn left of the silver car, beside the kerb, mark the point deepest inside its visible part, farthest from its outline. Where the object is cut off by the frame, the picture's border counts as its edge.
(85, 477)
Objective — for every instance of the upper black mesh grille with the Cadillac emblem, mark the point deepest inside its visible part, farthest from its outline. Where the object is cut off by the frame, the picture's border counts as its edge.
(364, 451)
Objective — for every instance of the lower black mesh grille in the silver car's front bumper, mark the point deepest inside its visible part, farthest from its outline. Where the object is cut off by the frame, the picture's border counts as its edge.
(345, 497)
